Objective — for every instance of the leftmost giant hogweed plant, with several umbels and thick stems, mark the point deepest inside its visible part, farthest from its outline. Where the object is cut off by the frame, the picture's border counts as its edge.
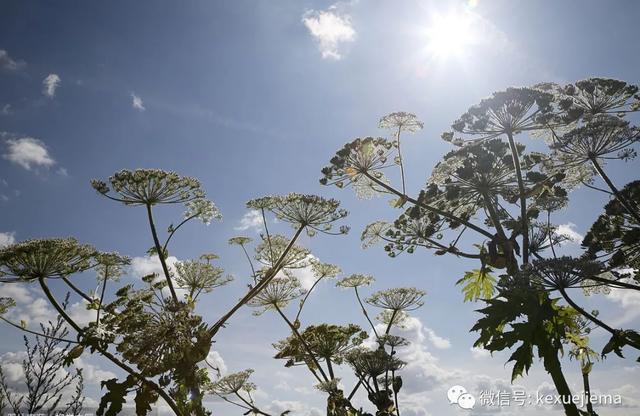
(153, 334)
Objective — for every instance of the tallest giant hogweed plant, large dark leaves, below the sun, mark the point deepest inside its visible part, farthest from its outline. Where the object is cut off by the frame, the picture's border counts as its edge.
(491, 201)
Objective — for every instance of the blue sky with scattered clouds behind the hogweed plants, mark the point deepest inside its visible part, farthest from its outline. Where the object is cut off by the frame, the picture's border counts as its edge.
(253, 98)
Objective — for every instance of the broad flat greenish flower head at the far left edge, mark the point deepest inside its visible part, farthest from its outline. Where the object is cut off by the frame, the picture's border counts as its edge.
(49, 258)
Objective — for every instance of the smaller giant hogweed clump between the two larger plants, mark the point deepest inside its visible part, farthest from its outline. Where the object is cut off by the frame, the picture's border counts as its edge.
(327, 351)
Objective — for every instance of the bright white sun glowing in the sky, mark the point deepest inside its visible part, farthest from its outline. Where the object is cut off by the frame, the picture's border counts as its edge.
(450, 35)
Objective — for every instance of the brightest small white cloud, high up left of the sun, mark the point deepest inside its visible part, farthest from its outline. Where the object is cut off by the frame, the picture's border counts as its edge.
(331, 29)
